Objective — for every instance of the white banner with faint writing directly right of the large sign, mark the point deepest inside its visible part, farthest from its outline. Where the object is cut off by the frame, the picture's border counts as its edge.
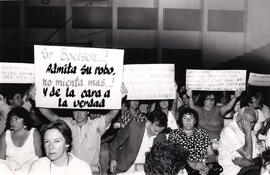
(149, 81)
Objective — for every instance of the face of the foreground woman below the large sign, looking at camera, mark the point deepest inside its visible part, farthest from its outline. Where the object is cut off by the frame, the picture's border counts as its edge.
(54, 144)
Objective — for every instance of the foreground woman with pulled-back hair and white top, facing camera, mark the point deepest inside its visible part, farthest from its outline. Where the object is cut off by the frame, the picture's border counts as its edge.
(57, 139)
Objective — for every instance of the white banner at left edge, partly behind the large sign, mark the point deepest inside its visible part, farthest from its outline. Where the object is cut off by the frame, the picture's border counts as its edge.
(16, 73)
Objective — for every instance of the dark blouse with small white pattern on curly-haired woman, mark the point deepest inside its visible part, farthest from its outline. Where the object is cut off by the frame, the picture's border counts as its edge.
(196, 144)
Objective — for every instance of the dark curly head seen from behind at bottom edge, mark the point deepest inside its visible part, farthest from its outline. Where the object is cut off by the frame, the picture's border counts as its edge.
(166, 158)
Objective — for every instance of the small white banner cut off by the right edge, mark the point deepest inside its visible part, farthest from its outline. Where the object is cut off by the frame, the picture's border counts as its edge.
(259, 79)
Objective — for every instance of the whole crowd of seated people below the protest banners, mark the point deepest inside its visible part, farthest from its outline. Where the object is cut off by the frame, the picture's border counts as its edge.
(186, 135)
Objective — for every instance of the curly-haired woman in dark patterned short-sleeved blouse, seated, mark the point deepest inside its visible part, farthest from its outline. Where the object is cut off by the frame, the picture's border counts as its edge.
(195, 140)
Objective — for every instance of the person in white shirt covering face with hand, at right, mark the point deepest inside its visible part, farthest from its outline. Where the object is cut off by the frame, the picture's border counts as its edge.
(238, 144)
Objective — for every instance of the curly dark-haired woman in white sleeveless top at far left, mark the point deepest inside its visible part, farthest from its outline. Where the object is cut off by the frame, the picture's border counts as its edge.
(20, 143)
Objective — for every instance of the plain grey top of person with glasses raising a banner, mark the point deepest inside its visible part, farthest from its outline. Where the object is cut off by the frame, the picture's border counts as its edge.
(211, 121)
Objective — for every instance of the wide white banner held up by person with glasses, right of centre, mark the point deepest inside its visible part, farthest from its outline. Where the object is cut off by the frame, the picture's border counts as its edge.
(216, 80)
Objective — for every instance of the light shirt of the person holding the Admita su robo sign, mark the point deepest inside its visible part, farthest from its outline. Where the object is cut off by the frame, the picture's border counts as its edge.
(87, 139)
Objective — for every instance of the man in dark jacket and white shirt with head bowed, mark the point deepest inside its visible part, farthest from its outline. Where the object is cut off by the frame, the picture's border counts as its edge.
(135, 140)
